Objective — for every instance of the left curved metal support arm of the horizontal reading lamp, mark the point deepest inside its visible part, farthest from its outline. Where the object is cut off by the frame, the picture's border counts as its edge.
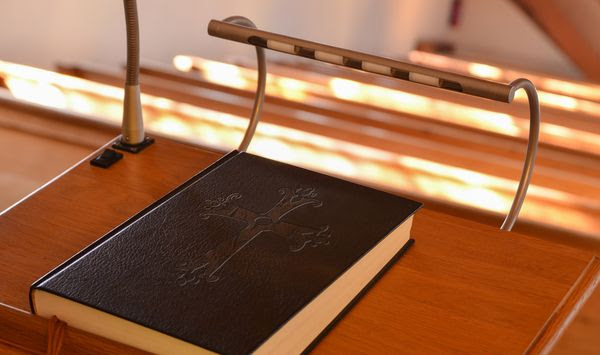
(260, 88)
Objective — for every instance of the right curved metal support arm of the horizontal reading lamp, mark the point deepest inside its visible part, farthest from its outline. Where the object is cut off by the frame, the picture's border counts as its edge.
(534, 133)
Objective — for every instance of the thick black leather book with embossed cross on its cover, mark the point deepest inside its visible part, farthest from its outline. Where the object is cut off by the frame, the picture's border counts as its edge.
(250, 255)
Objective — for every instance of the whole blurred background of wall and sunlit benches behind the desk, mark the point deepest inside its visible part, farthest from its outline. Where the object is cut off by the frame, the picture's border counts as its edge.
(61, 74)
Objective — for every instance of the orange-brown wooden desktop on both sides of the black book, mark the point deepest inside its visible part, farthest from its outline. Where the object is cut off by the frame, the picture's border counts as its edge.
(463, 287)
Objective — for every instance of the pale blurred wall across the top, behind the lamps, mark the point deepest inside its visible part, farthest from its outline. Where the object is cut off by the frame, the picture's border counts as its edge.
(44, 32)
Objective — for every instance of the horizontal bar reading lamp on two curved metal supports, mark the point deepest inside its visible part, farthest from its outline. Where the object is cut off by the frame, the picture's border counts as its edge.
(242, 30)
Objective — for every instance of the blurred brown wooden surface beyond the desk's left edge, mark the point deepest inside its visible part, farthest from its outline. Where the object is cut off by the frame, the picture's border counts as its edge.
(48, 143)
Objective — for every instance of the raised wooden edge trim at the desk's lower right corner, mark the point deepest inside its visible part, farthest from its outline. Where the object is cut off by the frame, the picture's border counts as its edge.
(567, 309)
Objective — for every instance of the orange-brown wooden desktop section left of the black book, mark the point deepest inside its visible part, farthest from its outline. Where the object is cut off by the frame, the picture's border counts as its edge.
(82, 205)
